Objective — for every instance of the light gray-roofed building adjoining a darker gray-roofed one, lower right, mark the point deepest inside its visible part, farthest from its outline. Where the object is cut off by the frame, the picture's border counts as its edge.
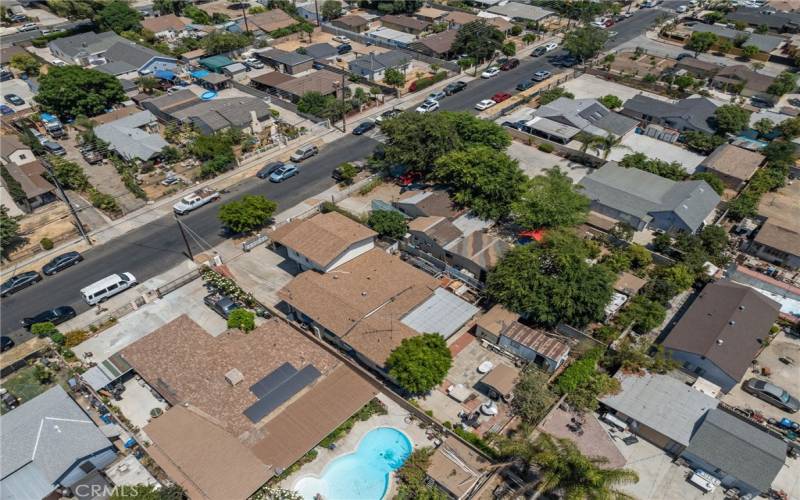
(641, 403)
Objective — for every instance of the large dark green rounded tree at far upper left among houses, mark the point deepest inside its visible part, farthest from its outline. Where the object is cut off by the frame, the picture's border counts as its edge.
(70, 91)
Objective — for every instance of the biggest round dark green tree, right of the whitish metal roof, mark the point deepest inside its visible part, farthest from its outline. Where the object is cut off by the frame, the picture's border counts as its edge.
(538, 281)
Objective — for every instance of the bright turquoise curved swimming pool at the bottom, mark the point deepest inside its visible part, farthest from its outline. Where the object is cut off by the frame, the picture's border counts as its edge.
(364, 474)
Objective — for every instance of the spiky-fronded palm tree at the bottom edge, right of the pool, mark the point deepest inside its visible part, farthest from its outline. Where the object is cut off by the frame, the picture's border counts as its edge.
(564, 470)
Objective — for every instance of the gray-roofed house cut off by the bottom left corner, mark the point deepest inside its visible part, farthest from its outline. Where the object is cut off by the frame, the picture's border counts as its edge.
(47, 443)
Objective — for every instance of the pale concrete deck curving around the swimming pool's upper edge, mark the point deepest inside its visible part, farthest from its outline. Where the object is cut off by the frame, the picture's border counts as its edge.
(395, 418)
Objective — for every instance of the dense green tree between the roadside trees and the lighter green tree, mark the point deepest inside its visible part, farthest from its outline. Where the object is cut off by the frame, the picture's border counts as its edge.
(484, 179)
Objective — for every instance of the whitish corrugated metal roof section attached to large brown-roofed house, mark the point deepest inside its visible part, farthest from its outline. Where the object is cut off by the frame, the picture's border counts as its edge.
(443, 313)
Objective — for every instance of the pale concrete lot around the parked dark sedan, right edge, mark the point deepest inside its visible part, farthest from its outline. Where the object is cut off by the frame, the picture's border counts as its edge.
(782, 375)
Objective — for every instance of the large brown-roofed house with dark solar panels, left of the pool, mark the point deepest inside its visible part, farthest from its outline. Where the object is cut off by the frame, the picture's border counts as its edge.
(209, 441)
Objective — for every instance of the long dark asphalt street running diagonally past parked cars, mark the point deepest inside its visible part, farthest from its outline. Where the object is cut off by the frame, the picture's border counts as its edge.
(156, 247)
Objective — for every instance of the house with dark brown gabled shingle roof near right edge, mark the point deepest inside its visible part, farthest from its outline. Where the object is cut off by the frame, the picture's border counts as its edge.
(722, 332)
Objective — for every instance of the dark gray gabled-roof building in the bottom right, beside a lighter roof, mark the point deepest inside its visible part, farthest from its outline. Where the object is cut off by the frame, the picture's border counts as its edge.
(741, 455)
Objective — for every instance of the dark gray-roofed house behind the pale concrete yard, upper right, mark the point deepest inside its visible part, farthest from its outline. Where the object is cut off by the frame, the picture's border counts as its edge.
(694, 113)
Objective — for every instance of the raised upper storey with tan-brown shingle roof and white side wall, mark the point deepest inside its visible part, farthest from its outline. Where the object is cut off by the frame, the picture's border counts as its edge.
(325, 241)
